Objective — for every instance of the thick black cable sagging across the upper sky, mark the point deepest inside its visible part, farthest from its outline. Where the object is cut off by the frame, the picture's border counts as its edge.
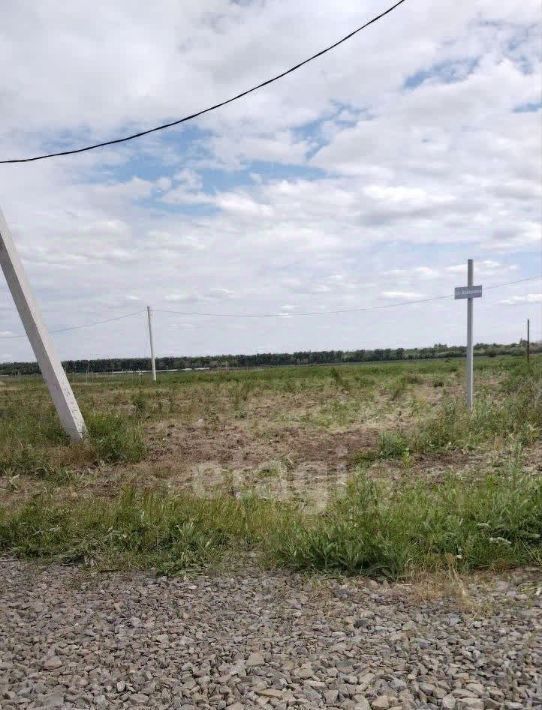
(192, 116)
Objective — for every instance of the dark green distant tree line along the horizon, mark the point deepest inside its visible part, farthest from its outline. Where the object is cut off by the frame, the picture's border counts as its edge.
(321, 357)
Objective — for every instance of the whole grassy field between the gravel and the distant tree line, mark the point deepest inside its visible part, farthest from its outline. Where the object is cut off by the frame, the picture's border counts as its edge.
(376, 469)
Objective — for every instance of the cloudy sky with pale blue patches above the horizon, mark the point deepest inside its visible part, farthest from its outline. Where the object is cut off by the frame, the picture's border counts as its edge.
(364, 179)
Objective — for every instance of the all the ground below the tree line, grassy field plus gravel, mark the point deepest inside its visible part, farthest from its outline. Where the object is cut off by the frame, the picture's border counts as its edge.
(198, 505)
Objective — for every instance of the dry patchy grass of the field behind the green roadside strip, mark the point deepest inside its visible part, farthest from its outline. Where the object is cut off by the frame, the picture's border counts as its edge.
(283, 429)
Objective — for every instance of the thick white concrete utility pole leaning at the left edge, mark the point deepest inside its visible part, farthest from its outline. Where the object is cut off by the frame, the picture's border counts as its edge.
(48, 361)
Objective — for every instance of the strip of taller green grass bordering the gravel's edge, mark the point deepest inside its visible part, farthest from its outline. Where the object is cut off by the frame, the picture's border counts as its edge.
(374, 529)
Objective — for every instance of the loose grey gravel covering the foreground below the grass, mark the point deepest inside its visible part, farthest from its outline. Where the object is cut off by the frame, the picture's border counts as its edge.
(71, 639)
